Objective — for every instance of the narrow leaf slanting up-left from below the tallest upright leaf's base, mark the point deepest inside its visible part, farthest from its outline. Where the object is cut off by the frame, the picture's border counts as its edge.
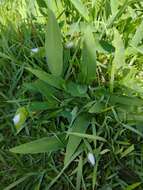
(54, 81)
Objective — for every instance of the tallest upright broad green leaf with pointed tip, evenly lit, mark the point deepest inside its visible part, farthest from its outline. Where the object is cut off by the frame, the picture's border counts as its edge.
(53, 45)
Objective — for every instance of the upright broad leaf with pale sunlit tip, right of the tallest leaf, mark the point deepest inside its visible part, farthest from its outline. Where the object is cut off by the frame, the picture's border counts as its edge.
(88, 64)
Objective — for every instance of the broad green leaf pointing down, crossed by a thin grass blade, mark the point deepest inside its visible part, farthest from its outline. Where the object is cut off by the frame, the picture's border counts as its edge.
(80, 125)
